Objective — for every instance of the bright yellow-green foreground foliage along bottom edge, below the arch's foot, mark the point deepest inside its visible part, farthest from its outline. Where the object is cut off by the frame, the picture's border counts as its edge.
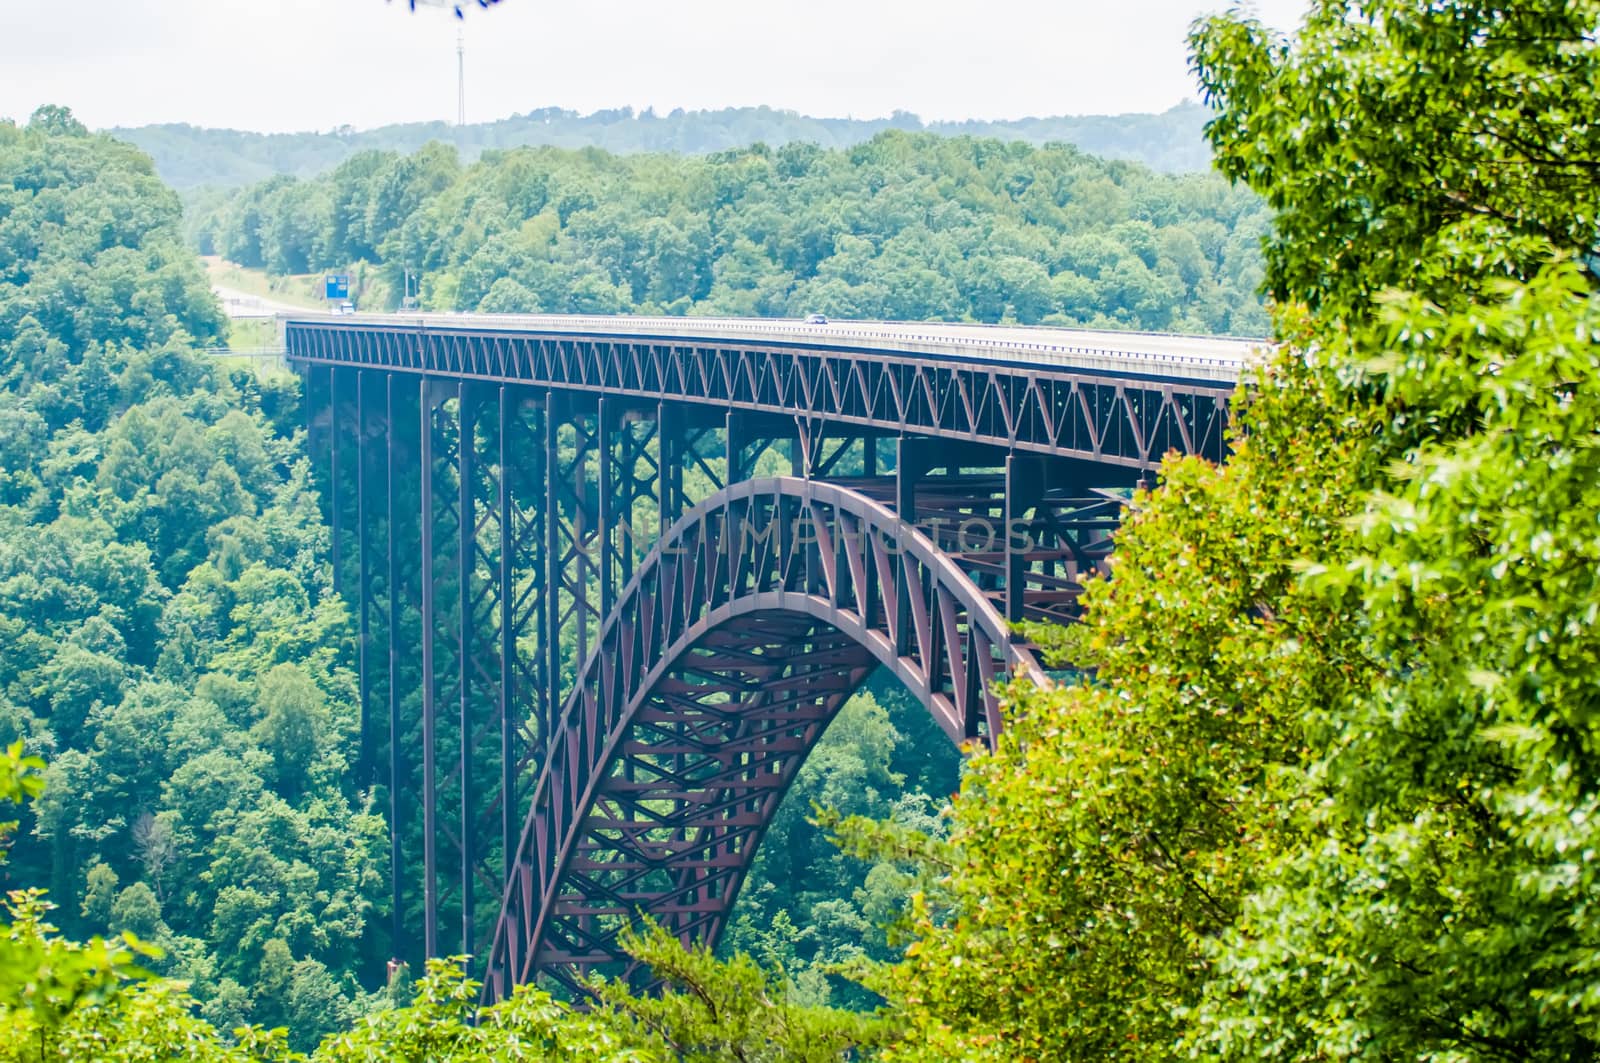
(60, 1000)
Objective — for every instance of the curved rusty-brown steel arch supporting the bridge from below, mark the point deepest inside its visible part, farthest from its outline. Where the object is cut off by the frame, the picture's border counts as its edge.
(730, 651)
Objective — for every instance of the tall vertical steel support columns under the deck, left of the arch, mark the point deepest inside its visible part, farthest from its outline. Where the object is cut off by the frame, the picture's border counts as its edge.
(438, 492)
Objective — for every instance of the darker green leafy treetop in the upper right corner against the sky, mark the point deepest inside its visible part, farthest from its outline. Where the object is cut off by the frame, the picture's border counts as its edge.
(1383, 134)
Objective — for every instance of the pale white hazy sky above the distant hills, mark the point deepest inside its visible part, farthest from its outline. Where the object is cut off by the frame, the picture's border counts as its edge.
(313, 65)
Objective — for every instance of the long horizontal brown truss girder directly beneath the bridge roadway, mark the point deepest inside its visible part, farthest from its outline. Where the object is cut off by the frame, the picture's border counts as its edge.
(1116, 420)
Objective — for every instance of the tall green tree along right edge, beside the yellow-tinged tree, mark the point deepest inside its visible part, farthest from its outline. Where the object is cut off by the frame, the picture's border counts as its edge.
(1439, 912)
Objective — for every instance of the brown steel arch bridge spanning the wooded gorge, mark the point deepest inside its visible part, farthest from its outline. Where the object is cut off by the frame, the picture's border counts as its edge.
(615, 577)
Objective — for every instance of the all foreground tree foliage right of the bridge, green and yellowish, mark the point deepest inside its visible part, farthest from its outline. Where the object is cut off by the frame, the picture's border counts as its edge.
(1330, 793)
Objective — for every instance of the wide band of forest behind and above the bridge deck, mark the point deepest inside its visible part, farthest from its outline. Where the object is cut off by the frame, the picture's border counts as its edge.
(905, 228)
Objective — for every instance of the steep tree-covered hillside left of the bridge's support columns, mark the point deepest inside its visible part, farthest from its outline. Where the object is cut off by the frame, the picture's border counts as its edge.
(169, 641)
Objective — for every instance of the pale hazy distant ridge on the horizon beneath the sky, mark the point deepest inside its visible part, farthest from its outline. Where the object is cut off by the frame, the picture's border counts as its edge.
(188, 156)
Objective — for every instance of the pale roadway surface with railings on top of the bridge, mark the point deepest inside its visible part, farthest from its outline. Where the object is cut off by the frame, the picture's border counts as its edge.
(1217, 359)
